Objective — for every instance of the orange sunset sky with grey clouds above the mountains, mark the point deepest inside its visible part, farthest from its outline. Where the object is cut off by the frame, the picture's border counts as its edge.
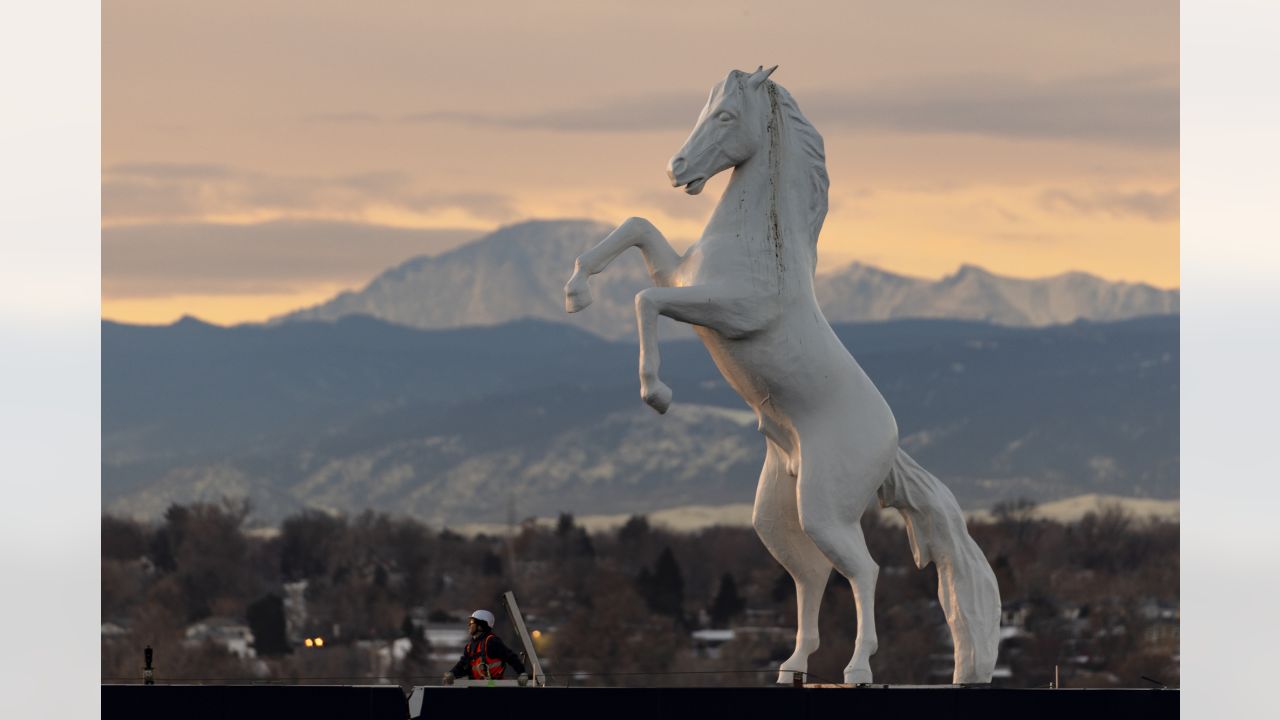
(262, 157)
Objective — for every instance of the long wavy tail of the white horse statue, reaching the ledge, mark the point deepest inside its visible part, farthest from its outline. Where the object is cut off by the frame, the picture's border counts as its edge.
(967, 586)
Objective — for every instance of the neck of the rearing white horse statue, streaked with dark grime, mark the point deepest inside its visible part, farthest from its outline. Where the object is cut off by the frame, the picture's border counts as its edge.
(761, 224)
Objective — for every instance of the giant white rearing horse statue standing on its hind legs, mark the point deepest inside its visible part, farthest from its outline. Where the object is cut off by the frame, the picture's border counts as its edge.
(747, 289)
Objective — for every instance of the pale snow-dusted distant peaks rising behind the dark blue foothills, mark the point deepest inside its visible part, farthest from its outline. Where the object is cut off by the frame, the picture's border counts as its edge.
(519, 272)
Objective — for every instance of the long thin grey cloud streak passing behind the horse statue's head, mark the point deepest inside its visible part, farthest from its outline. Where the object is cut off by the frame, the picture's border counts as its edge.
(1132, 108)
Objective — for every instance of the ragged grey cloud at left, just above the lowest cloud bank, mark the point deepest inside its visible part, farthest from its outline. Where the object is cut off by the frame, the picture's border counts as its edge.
(176, 193)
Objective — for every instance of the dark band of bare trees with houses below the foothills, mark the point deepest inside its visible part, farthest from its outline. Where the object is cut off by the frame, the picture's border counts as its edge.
(1096, 598)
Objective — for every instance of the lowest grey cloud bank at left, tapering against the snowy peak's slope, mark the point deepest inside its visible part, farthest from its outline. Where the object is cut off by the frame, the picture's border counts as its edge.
(159, 261)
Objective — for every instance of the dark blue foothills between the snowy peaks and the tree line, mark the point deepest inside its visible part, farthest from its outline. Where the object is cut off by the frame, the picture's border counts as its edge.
(465, 426)
